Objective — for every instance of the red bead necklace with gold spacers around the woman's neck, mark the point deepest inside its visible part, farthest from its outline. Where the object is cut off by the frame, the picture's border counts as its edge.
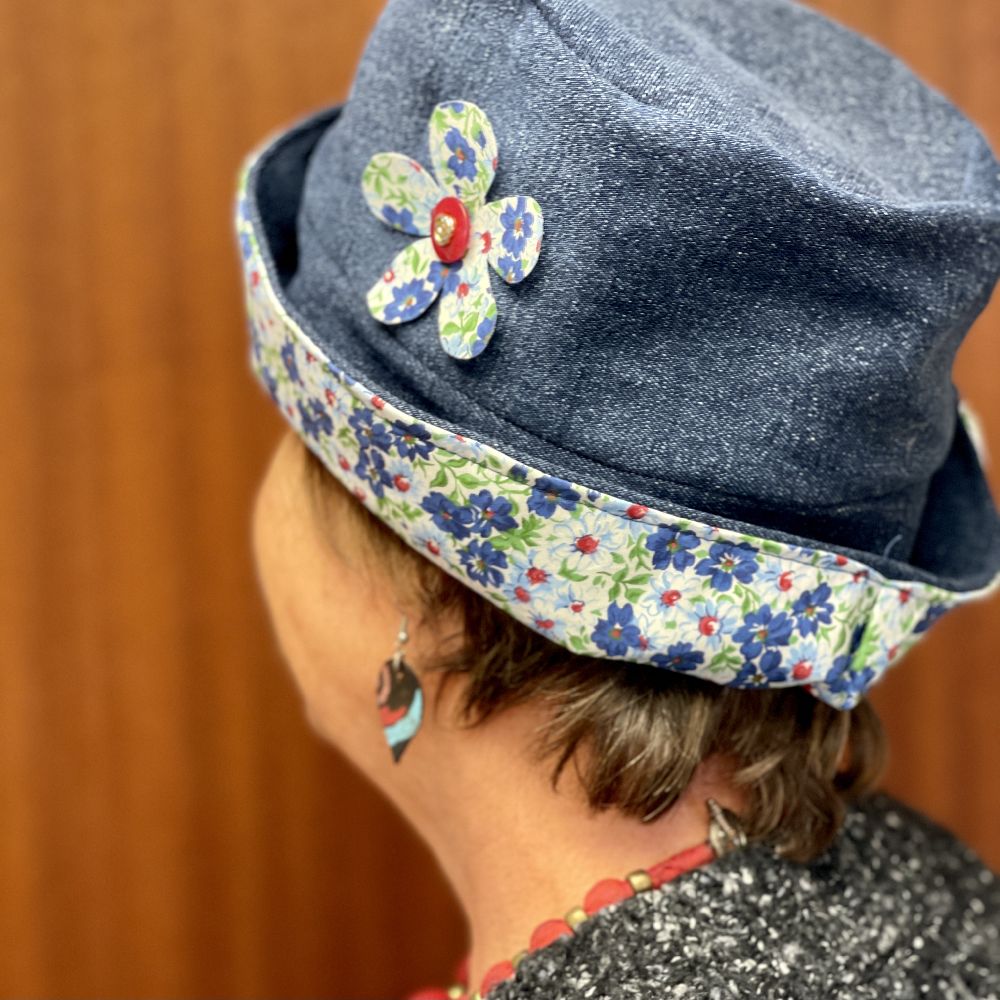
(724, 835)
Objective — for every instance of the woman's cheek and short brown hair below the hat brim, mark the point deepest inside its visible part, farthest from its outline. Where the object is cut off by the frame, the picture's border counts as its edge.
(337, 579)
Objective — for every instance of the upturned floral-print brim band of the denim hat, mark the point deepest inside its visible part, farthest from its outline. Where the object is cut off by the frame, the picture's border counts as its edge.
(598, 574)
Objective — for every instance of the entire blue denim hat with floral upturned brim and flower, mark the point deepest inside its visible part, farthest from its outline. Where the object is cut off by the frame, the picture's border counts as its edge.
(707, 422)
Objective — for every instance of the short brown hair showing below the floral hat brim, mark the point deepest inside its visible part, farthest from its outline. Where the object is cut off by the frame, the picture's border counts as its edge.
(646, 730)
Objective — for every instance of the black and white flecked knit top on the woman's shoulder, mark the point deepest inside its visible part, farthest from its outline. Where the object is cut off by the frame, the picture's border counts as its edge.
(896, 908)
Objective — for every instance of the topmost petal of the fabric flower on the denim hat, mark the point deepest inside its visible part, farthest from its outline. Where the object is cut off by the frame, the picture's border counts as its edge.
(463, 150)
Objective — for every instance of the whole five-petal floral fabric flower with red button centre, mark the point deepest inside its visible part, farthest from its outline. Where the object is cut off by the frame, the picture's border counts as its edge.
(463, 234)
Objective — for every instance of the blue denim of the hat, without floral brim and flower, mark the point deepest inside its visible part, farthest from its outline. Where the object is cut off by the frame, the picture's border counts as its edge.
(765, 239)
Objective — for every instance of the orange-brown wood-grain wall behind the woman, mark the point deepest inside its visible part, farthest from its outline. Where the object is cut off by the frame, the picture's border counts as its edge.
(170, 826)
